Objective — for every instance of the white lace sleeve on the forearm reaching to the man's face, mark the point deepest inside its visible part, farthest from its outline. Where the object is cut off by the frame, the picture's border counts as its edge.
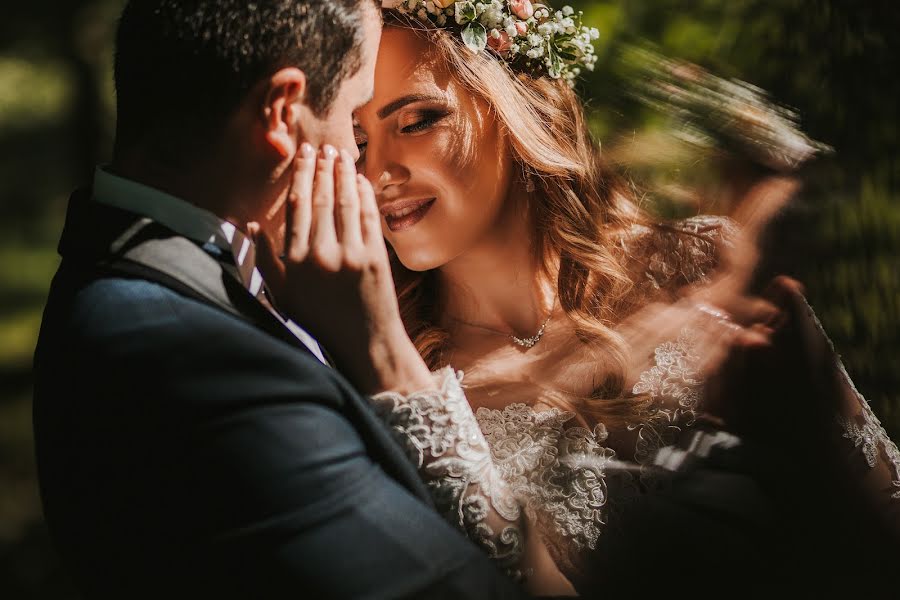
(441, 436)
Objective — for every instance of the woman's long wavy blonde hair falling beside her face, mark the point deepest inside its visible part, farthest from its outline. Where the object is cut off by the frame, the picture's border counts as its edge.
(578, 210)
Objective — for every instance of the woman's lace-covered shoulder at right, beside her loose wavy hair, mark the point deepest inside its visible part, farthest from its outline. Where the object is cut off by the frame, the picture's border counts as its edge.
(668, 255)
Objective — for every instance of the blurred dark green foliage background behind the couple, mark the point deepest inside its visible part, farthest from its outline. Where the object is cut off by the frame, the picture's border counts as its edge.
(835, 61)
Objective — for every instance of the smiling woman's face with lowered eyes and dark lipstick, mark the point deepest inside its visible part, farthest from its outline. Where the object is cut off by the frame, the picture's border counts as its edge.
(440, 167)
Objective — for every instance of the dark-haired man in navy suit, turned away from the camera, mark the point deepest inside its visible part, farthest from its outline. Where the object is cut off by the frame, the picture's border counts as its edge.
(191, 441)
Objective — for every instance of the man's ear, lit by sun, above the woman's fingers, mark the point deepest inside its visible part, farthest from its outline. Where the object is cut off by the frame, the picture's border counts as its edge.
(285, 94)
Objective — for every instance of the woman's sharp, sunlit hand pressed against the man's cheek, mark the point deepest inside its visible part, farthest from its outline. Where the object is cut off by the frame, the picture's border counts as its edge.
(334, 277)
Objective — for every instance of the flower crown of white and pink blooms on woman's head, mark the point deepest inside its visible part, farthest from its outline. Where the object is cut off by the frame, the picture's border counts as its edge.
(533, 38)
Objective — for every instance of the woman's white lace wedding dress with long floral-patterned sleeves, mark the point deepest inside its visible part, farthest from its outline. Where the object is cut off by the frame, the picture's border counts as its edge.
(499, 475)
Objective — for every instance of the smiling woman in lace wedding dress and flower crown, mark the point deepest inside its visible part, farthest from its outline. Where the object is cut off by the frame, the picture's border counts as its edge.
(585, 331)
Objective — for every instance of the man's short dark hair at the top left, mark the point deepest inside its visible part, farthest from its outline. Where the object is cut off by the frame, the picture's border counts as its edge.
(183, 66)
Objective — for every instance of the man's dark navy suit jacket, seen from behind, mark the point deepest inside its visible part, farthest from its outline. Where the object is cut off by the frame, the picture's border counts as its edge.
(189, 446)
